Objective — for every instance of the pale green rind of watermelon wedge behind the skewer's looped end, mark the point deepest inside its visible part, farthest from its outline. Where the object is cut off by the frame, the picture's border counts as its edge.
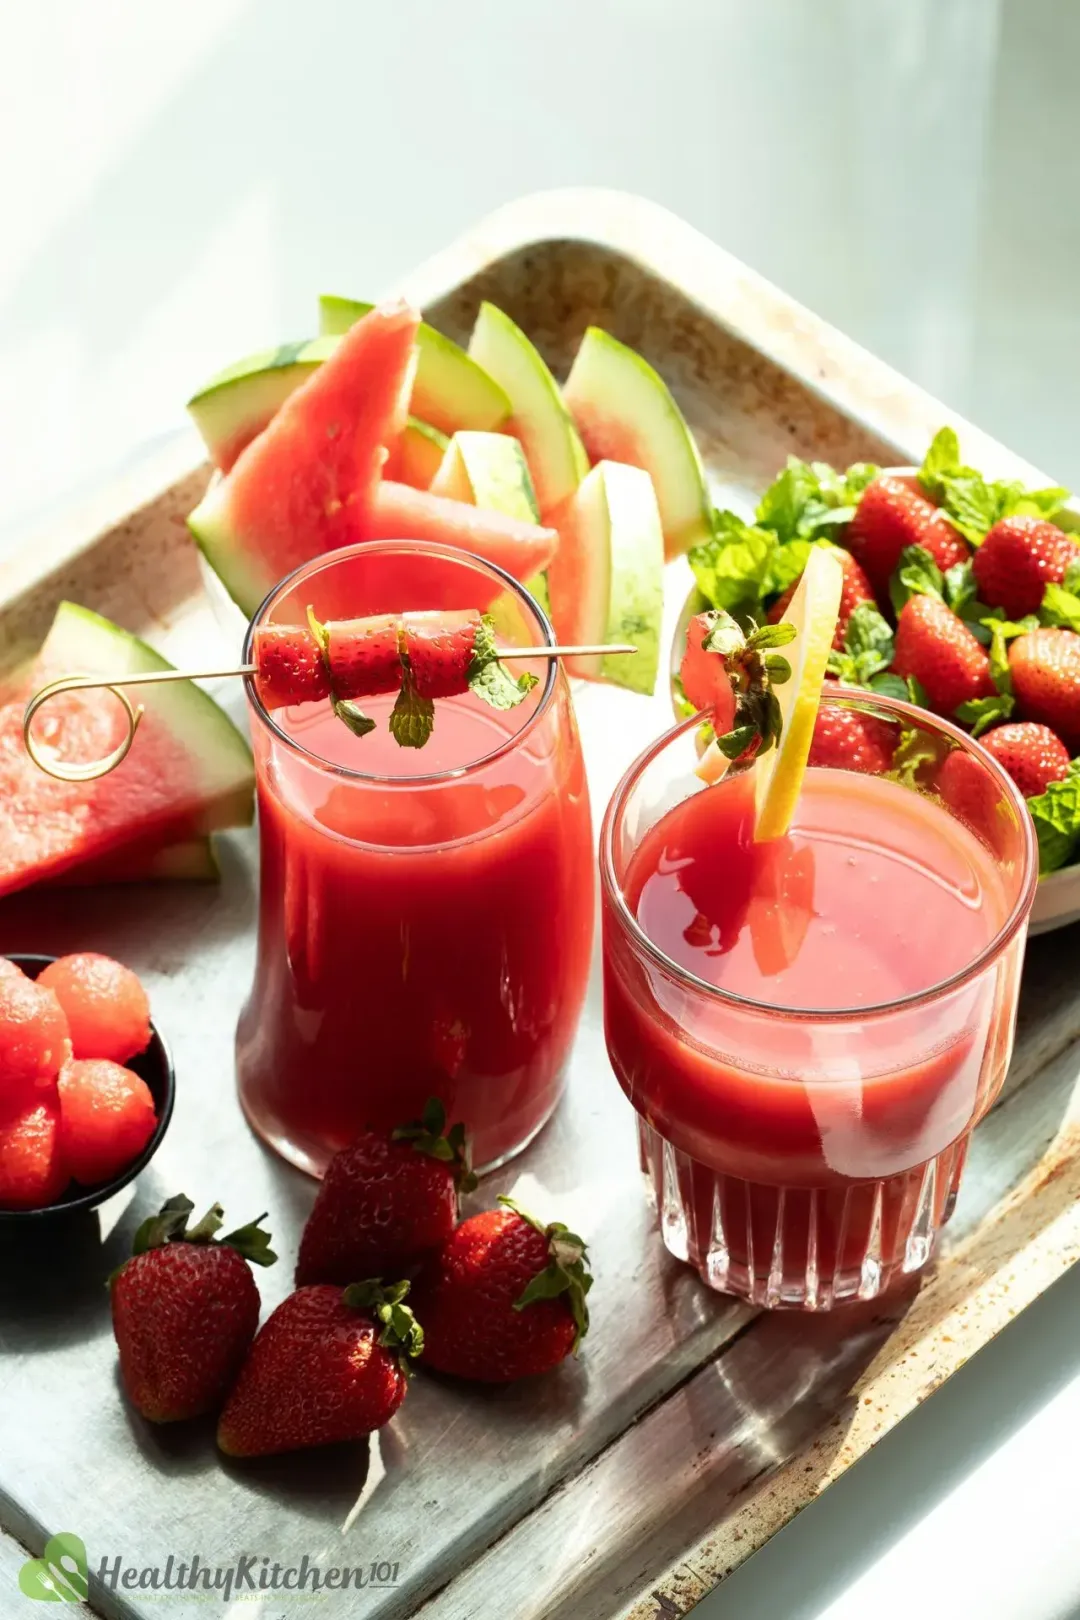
(83, 642)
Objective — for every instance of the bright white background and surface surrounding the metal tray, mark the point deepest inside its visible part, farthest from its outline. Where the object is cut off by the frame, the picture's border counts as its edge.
(181, 179)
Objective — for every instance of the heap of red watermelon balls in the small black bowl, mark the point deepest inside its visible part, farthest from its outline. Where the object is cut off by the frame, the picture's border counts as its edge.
(69, 1107)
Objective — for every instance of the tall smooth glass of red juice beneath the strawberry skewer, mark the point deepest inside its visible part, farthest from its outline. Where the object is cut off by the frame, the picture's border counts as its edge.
(425, 914)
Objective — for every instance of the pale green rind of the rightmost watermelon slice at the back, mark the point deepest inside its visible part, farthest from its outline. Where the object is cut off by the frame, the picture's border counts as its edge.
(627, 414)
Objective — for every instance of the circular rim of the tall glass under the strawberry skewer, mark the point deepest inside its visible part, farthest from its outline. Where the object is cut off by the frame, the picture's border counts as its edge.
(412, 548)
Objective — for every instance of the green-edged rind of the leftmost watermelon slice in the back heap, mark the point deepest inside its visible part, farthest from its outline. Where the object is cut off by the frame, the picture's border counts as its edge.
(237, 404)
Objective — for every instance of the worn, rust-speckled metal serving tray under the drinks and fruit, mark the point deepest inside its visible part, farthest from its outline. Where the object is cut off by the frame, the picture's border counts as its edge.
(692, 1428)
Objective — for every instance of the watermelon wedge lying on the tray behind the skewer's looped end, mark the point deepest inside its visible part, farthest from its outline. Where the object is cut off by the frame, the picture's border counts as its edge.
(189, 772)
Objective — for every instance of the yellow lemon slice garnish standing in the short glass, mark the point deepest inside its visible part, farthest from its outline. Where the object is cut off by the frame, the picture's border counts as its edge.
(780, 774)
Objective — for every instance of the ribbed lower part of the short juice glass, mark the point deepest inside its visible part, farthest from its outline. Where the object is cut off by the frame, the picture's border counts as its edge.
(799, 1248)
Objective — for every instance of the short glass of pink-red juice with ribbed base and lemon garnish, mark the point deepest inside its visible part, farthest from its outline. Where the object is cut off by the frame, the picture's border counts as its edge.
(809, 1030)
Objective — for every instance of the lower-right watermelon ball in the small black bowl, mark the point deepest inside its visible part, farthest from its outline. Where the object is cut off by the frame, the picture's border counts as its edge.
(106, 1119)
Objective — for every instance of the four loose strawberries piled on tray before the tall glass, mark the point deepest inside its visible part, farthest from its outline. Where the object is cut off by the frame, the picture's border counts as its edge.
(493, 1298)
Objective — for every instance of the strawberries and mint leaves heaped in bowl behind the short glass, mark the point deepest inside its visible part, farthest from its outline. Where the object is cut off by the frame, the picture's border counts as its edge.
(959, 594)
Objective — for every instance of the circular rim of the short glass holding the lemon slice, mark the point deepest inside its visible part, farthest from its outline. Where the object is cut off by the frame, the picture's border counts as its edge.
(895, 709)
